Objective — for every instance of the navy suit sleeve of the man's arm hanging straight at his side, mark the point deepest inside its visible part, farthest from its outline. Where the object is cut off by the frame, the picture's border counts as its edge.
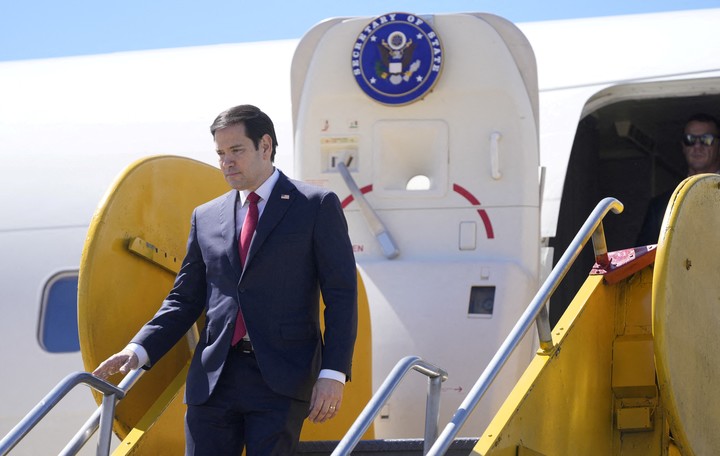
(338, 284)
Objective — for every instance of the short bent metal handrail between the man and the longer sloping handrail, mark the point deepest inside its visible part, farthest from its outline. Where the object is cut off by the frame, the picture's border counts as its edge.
(432, 409)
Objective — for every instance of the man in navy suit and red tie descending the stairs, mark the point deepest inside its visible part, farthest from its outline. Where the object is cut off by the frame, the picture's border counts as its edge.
(261, 365)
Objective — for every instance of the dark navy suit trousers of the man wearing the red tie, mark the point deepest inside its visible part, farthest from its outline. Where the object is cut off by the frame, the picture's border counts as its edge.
(244, 412)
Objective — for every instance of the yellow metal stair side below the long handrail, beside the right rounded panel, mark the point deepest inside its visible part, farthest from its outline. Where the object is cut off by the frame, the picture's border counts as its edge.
(566, 403)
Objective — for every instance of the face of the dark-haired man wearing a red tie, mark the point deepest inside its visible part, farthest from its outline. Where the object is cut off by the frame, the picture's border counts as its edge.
(244, 166)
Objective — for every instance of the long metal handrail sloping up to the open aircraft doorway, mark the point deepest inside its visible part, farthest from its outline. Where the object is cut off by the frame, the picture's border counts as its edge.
(535, 310)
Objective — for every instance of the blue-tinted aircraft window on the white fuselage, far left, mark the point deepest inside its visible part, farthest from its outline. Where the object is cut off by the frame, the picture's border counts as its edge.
(57, 328)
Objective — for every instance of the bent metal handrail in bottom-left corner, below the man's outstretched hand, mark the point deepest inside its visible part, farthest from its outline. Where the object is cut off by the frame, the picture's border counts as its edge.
(110, 394)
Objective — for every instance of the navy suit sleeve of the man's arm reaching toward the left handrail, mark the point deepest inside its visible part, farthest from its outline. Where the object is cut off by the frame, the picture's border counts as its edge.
(182, 307)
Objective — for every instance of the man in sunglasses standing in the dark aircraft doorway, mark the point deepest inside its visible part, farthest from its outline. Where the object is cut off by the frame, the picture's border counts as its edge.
(701, 148)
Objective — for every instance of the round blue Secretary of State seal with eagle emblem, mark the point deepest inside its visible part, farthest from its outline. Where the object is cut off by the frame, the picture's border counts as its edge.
(397, 58)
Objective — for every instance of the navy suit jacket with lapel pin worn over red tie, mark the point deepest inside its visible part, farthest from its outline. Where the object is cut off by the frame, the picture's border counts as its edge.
(301, 248)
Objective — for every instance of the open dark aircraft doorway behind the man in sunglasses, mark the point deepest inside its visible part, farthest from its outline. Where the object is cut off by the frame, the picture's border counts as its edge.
(627, 145)
